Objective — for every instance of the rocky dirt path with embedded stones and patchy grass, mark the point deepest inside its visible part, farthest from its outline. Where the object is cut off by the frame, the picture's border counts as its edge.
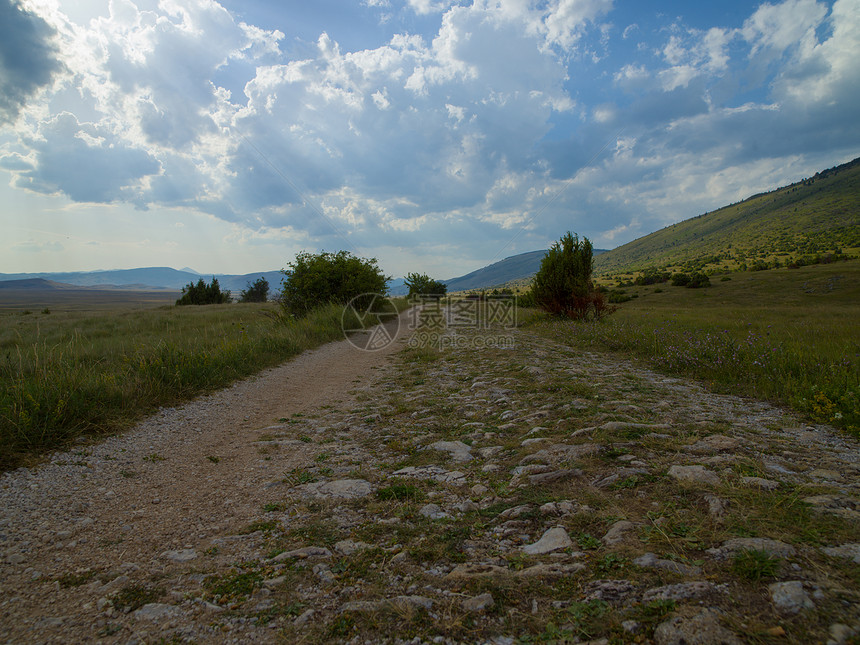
(498, 495)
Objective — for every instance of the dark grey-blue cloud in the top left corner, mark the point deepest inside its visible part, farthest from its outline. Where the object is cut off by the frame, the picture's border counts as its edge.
(28, 60)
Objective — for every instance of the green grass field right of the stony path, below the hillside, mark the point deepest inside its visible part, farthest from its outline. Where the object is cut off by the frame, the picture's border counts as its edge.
(787, 335)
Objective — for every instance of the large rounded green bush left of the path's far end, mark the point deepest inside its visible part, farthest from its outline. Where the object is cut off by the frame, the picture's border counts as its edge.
(322, 278)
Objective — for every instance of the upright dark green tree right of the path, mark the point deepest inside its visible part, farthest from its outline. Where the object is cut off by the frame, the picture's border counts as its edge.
(563, 286)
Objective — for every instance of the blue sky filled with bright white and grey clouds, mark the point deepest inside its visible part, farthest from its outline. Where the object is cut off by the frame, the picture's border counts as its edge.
(436, 136)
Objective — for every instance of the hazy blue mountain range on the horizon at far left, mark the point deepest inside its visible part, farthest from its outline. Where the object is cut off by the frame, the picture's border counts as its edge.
(147, 278)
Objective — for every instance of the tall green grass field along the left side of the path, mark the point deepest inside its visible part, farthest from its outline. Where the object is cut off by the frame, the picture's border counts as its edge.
(67, 374)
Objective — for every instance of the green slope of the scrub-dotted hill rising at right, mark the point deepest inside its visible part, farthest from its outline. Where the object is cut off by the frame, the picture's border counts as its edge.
(813, 216)
